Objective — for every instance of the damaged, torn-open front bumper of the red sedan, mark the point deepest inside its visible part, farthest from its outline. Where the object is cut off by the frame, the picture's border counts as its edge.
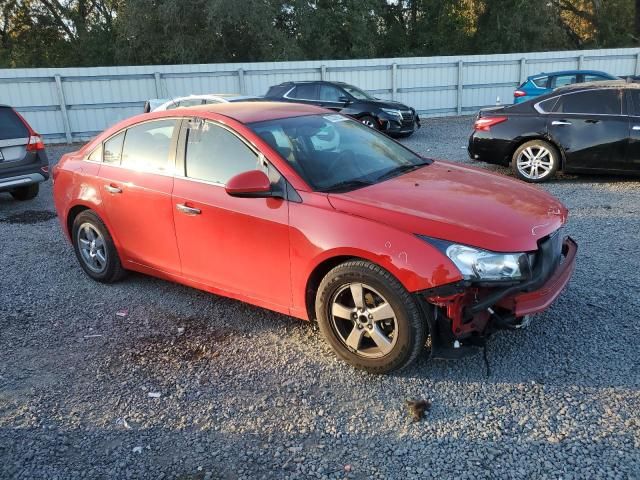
(462, 314)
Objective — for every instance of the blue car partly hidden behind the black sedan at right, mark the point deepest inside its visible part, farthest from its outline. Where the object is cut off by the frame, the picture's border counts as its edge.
(542, 83)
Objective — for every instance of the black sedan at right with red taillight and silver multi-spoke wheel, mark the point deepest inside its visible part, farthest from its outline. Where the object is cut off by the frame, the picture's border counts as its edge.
(589, 128)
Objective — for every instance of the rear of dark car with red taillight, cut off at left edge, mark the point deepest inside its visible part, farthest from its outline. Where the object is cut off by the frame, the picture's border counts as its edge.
(23, 159)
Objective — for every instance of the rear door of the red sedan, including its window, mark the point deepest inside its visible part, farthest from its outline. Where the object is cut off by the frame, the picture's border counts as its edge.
(137, 181)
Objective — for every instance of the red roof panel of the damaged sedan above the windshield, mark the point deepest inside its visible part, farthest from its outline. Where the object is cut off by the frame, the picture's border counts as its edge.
(248, 112)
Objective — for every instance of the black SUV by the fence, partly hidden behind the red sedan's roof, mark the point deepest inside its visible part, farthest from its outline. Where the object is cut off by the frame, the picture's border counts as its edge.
(390, 117)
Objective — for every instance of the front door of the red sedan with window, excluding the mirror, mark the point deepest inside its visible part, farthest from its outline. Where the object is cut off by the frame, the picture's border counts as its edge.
(238, 245)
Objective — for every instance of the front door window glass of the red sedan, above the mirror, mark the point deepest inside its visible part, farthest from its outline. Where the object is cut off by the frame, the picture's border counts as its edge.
(214, 154)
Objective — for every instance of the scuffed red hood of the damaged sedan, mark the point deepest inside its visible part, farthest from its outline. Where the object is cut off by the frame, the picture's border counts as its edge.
(460, 204)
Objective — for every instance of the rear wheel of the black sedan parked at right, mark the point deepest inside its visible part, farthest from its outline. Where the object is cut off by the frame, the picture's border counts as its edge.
(535, 161)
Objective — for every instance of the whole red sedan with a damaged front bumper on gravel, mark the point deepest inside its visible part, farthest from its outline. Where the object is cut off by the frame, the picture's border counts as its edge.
(306, 212)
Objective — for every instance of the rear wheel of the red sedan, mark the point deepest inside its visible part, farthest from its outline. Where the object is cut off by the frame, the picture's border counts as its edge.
(95, 249)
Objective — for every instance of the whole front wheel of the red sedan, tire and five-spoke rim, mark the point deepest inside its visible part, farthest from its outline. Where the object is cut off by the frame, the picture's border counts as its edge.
(368, 318)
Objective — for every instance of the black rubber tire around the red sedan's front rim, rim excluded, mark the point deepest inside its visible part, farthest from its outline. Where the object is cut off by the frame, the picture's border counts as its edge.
(410, 326)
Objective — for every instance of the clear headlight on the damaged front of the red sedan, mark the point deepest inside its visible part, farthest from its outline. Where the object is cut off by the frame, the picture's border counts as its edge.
(477, 264)
